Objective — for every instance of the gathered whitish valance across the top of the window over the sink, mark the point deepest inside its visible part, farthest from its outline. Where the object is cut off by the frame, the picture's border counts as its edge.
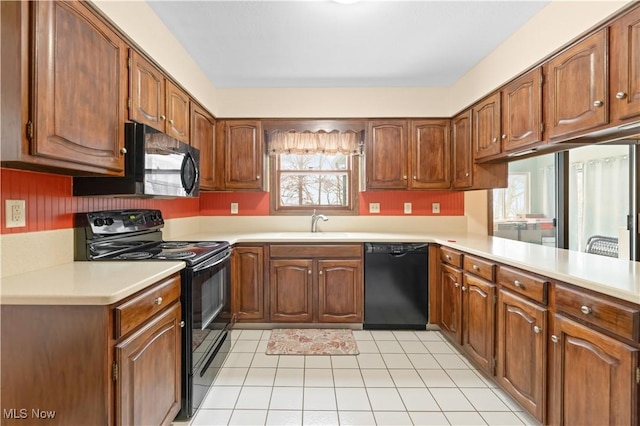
(295, 142)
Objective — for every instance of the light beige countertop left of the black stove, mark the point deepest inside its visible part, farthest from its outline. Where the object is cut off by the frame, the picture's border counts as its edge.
(83, 283)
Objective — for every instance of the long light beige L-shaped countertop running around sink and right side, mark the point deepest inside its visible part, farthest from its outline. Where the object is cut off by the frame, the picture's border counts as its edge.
(615, 277)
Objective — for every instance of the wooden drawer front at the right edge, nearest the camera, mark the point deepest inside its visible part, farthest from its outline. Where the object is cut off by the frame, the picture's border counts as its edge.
(620, 319)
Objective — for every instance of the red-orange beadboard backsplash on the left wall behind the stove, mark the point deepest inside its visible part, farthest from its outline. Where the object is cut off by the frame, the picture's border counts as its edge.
(50, 203)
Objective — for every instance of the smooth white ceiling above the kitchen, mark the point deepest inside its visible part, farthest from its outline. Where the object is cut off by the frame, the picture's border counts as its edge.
(260, 43)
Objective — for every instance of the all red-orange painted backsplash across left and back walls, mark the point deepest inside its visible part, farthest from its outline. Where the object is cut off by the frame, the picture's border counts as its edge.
(50, 203)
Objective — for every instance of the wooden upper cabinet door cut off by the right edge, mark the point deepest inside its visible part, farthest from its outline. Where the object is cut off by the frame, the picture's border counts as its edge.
(625, 66)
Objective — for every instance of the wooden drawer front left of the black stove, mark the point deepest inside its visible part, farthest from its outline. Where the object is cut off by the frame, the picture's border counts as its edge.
(146, 304)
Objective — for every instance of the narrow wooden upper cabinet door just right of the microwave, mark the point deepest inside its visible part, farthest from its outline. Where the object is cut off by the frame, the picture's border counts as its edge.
(203, 137)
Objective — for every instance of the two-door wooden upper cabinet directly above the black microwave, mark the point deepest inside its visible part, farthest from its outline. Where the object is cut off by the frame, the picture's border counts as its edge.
(155, 100)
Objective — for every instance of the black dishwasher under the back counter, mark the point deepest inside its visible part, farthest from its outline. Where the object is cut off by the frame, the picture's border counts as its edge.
(396, 286)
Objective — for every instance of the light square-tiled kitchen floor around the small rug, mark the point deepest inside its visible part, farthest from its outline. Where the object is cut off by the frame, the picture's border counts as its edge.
(399, 378)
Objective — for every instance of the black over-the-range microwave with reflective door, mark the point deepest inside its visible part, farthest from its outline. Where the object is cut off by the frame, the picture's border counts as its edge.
(156, 165)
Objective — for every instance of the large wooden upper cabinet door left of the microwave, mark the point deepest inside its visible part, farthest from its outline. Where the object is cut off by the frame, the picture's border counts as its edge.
(80, 88)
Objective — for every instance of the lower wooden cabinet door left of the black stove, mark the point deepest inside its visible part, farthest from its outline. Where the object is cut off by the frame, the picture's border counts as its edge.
(148, 384)
